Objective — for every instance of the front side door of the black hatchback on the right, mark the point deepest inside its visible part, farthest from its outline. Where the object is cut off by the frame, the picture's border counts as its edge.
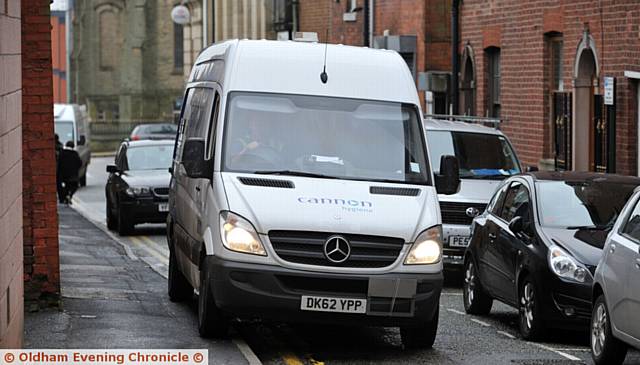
(502, 252)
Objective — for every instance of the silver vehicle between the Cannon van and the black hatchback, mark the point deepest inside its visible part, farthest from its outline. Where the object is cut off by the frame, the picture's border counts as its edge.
(486, 158)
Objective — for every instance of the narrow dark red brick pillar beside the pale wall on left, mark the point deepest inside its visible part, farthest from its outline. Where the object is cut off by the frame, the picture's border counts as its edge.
(41, 260)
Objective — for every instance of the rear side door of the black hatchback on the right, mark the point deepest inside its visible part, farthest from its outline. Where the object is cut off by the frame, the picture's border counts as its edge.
(486, 255)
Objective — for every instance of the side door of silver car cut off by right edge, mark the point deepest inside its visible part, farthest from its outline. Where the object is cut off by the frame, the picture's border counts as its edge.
(623, 262)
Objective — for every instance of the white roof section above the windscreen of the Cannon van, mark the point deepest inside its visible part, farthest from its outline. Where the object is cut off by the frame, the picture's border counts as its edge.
(294, 68)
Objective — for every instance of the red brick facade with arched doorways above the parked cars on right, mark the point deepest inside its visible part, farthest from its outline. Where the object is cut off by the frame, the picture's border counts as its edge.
(522, 30)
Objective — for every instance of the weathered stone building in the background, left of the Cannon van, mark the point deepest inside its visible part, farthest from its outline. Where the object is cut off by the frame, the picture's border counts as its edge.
(129, 59)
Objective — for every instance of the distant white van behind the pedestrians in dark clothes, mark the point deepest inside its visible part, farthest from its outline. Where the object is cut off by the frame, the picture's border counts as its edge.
(71, 123)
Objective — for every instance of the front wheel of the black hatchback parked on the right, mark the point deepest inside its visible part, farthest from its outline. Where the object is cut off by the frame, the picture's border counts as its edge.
(531, 326)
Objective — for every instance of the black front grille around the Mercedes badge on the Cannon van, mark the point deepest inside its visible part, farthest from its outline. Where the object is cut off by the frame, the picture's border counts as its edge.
(304, 247)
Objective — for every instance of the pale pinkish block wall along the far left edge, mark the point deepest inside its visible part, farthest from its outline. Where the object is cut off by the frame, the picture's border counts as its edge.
(11, 300)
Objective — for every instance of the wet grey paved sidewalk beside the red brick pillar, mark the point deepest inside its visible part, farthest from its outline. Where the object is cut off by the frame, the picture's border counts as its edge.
(111, 301)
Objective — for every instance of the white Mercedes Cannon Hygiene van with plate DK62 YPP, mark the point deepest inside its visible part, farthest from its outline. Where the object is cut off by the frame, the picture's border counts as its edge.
(304, 195)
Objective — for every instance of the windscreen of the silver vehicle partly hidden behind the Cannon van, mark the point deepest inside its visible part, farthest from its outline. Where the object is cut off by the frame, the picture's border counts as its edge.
(480, 155)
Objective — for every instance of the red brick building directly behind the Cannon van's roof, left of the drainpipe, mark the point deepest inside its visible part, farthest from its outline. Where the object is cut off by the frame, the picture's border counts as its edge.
(420, 30)
